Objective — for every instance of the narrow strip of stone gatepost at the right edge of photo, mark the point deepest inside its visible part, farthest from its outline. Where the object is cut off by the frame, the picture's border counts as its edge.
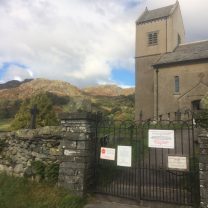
(203, 167)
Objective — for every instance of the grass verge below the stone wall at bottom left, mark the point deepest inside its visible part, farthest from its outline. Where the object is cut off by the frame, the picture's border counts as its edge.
(21, 193)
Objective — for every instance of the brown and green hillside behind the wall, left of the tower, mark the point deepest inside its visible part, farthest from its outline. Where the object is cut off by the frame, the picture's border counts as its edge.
(113, 101)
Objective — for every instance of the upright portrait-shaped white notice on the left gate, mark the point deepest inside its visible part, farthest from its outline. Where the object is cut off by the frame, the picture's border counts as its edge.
(124, 154)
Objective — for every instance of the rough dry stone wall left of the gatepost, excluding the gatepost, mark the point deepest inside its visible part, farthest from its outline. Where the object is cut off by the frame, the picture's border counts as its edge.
(18, 150)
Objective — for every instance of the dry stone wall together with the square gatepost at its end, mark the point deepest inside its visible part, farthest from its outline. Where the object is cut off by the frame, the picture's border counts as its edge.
(71, 146)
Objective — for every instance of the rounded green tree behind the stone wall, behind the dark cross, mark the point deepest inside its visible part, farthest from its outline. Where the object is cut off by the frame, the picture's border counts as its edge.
(45, 117)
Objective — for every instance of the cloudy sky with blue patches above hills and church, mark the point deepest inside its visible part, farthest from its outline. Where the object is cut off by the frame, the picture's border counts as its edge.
(78, 41)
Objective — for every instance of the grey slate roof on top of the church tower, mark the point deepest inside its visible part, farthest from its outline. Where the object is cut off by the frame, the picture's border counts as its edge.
(150, 15)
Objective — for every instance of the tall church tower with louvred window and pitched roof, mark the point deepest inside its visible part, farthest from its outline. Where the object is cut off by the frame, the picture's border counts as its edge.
(158, 32)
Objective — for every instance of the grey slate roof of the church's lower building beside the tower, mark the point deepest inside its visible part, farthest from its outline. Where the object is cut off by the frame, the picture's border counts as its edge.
(184, 53)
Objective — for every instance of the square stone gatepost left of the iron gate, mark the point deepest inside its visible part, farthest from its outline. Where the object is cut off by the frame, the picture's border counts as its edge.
(76, 171)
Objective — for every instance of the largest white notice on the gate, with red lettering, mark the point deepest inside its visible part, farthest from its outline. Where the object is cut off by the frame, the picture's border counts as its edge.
(161, 138)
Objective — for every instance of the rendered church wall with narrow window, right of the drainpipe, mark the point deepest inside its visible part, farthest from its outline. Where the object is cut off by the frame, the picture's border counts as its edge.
(193, 85)
